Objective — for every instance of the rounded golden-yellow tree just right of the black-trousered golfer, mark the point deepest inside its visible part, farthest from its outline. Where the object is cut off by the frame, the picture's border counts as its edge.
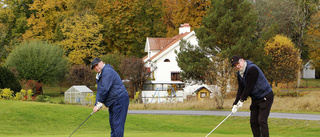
(285, 60)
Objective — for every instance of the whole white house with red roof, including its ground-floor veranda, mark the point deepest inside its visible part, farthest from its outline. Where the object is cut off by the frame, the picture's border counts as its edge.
(161, 61)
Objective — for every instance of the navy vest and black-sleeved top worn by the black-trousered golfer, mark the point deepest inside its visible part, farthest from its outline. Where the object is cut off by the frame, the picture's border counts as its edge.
(253, 83)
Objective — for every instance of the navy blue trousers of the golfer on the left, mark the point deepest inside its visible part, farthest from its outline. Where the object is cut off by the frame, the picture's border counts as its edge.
(117, 116)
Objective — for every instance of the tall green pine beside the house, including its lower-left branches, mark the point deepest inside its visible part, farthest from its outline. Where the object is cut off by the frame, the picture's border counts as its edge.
(227, 29)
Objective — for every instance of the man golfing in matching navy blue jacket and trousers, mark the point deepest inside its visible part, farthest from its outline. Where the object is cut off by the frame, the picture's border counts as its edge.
(112, 93)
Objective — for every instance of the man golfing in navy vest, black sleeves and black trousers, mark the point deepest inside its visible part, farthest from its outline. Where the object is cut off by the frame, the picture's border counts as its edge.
(253, 83)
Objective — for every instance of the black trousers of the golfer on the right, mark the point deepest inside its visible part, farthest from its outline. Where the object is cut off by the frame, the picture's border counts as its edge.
(260, 110)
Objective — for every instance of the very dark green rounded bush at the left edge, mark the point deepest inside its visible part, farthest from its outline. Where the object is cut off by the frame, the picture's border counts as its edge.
(8, 80)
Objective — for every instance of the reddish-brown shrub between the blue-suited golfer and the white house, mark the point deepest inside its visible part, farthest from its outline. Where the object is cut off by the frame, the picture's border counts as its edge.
(133, 69)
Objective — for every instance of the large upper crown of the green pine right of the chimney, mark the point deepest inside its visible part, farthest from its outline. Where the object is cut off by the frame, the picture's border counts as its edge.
(228, 28)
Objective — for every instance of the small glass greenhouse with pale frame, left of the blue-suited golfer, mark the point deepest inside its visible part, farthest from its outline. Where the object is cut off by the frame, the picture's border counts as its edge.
(78, 94)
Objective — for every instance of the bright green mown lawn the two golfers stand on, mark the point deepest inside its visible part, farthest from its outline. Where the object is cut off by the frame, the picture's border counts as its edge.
(35, 119)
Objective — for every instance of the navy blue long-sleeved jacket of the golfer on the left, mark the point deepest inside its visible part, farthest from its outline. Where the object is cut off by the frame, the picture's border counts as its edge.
(109, 86)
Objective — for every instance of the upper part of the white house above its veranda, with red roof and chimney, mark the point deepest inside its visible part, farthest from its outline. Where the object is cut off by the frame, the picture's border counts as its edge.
(161, 59)
